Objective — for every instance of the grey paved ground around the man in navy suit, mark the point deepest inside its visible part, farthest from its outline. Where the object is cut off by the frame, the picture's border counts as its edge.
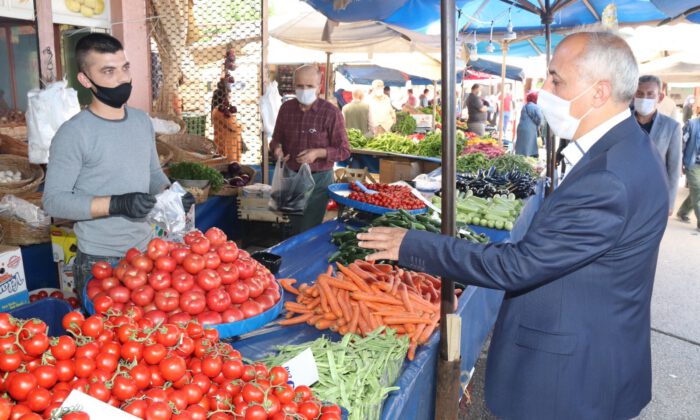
(675, 337)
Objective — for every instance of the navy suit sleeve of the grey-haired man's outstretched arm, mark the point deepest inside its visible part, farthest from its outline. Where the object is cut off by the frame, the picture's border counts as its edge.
(575, 226)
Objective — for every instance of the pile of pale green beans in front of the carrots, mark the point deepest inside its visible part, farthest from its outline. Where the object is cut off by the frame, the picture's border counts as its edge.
(356, 373)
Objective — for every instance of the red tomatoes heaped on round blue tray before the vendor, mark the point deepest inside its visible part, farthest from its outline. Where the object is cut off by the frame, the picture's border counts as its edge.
(206, 278)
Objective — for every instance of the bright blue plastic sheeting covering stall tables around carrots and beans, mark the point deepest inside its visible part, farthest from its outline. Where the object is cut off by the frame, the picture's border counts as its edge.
(304, 257)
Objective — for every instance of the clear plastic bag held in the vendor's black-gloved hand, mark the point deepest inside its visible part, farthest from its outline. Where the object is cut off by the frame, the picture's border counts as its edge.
(169, 214)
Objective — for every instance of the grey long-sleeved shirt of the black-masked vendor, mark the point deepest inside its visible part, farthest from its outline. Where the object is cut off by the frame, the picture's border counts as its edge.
(90, 157)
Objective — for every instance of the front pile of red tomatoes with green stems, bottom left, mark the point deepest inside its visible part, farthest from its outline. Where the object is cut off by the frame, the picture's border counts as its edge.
(153, 370)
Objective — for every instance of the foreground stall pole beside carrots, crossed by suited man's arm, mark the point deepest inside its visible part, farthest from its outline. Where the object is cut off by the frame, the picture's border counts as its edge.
(448, 382)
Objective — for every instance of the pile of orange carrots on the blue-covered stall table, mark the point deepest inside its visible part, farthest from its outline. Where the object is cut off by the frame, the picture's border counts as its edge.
(364, 296)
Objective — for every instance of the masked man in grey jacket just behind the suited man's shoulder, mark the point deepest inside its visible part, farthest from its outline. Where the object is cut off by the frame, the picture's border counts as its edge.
(663, 131)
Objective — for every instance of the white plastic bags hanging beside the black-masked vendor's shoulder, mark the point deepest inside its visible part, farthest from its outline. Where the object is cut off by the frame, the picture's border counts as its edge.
(47, 110)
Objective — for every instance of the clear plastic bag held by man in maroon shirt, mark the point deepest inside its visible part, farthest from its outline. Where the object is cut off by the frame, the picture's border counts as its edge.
(291, 190)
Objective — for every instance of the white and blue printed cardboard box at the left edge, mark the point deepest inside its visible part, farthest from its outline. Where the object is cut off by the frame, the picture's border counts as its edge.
(13, 283)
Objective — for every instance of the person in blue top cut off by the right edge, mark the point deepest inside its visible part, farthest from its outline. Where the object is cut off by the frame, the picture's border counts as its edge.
(691, 169)
